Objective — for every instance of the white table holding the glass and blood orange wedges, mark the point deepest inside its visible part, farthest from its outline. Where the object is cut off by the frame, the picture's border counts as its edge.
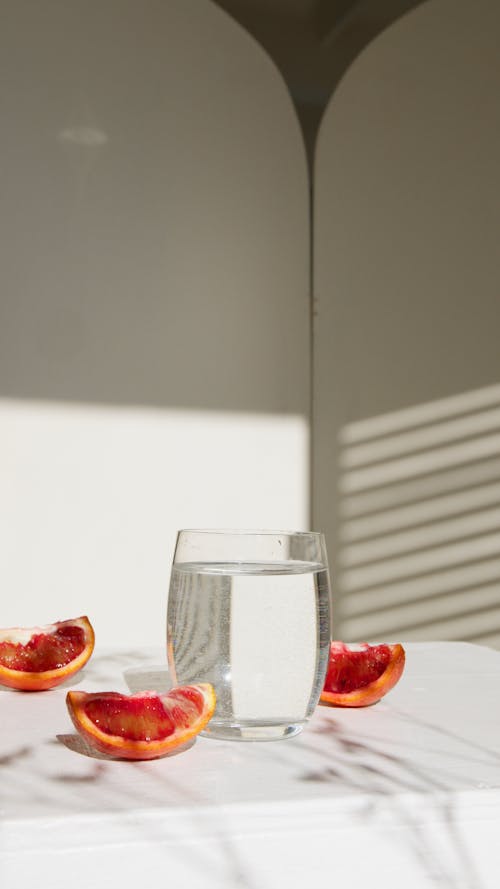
(402, 794)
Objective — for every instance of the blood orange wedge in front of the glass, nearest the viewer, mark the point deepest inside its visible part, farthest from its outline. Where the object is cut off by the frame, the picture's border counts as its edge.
(141, 726)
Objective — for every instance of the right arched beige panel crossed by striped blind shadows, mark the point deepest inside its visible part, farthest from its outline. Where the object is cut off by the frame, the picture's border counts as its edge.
(406, 410)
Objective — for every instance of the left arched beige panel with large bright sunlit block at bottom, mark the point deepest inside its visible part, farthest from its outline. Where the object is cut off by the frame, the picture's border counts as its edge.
(154, 335)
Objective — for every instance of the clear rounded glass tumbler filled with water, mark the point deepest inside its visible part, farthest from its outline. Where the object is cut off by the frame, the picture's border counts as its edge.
(249, 612)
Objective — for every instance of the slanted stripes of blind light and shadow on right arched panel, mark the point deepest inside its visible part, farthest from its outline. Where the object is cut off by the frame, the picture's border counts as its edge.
(419, 553)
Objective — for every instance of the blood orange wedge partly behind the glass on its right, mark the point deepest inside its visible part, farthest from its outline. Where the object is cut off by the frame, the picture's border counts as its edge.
(362, 675)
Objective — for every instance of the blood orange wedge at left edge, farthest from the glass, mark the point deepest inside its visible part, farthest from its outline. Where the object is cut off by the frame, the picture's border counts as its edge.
(38, 658)
